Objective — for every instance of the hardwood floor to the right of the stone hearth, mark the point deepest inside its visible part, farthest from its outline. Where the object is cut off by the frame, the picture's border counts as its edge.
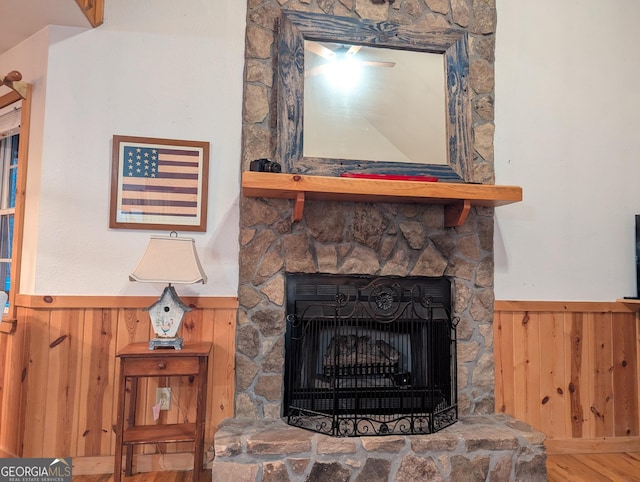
(594, 467)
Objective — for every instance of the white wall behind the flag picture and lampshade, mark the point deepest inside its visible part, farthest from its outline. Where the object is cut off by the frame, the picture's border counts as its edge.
(158, 69)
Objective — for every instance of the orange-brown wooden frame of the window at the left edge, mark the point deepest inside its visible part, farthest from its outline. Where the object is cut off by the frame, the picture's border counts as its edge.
(13, 97)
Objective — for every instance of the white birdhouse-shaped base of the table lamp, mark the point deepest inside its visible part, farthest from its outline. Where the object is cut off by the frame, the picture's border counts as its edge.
(166, 316)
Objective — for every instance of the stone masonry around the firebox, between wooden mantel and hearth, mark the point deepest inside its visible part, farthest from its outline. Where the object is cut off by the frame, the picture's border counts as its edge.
(399, 240)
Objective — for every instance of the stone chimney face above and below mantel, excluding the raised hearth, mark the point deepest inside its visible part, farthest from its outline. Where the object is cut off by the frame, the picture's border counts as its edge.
(381, 239)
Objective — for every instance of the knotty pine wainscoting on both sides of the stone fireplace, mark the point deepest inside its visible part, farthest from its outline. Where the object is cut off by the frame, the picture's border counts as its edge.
(568, 369)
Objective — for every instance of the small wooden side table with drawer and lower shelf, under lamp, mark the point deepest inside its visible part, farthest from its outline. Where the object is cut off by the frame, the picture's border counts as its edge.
(137, 361)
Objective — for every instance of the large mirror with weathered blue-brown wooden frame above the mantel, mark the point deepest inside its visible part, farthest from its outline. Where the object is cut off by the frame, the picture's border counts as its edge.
(409, 114)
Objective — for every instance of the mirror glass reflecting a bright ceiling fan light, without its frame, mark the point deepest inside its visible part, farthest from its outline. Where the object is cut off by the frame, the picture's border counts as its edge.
(379, 104)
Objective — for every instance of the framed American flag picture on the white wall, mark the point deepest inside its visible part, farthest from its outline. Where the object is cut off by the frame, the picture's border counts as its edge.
(159, 184)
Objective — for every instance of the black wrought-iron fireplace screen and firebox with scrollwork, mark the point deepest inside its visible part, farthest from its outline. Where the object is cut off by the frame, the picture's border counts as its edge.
(369, 355)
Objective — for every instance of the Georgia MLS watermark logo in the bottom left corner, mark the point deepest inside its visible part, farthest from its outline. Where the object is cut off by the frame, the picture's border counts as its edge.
(35, 470)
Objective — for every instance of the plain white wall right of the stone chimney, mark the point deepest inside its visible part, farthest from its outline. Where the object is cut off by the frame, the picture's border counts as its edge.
(567, 131)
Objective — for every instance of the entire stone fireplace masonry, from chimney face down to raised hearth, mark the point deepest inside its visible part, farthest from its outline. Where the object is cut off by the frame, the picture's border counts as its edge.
(363, 238)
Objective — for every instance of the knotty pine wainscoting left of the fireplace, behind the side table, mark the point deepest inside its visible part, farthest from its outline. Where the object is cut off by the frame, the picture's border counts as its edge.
(58, 378)
